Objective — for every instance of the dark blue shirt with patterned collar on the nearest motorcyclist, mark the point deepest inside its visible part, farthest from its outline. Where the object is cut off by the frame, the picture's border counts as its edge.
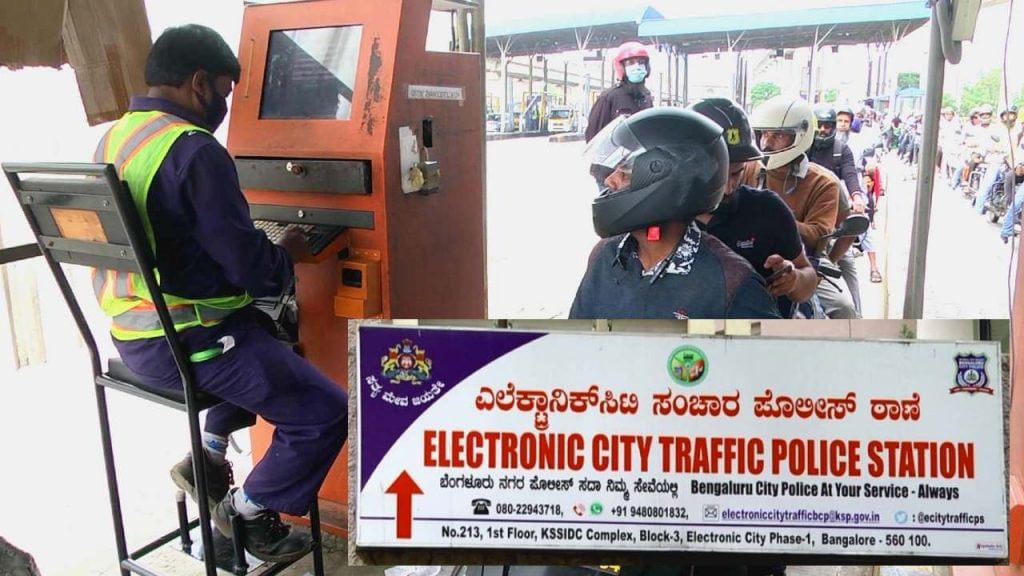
(702, 279)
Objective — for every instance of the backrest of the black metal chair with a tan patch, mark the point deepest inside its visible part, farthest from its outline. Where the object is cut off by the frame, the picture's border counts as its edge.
(84, 215)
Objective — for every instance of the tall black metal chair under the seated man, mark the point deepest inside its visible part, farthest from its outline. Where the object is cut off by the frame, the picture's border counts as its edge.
(83, 215)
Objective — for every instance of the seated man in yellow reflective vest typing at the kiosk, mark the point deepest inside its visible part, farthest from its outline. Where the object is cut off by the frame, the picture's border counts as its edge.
(211, 262)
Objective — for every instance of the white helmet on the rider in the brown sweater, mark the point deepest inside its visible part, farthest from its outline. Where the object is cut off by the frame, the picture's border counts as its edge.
(783, 114)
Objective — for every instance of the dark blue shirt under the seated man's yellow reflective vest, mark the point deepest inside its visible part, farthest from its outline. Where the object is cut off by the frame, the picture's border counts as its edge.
(206, 243)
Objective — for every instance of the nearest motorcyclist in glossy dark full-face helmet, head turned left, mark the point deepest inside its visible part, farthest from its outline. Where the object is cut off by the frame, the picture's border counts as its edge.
(657, 171)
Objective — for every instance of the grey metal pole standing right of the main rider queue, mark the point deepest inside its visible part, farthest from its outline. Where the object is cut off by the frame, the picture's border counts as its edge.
(914, 302)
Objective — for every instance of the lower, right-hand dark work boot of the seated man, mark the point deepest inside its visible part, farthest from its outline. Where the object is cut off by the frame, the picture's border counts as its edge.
(267, 538)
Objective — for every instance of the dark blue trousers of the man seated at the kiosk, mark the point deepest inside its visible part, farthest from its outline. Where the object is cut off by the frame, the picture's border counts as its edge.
(261, 376)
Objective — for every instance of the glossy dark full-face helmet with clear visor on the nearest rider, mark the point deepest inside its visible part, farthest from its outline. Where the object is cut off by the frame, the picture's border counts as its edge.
(678, 164)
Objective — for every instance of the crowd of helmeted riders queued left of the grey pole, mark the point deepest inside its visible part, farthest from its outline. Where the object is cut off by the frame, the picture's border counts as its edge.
(712, 212)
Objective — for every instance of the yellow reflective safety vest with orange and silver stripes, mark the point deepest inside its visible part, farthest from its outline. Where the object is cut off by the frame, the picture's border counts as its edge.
(137, 146)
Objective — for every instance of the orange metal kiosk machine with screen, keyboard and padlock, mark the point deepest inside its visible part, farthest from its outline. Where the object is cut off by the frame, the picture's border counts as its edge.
(344, 122)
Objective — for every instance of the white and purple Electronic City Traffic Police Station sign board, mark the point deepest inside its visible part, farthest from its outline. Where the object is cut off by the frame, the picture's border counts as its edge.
(497, 439)
